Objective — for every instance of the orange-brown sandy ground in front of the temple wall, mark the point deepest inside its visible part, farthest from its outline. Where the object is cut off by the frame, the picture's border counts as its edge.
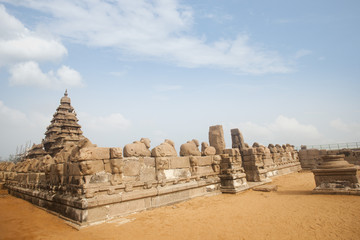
(290, 213)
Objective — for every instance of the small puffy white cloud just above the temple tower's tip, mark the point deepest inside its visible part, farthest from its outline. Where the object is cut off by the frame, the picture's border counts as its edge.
(30, 74)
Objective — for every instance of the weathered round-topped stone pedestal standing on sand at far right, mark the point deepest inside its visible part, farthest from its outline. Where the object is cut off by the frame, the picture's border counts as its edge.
(334, 175)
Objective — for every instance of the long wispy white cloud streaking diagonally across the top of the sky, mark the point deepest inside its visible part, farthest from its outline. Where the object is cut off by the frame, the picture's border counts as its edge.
(160, 29)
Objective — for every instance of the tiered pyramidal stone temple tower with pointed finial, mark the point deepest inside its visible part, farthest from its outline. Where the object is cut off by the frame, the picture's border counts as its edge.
(64, 127)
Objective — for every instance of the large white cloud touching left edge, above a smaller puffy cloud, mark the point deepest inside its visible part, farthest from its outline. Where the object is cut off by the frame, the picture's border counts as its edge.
(18, 43)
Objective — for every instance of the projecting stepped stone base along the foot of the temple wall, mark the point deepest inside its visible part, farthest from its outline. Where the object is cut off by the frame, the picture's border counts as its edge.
(83, 212)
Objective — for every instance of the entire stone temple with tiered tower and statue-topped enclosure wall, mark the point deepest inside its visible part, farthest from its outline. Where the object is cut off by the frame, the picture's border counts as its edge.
(70, 175)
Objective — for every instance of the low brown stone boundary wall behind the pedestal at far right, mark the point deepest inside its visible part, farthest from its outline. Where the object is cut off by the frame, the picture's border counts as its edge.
(311, 158)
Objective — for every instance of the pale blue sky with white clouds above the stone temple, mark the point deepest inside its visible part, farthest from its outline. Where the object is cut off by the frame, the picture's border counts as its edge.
(280, 71)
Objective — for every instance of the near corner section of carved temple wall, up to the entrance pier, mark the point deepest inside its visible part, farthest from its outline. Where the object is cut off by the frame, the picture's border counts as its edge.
(89, 184)
